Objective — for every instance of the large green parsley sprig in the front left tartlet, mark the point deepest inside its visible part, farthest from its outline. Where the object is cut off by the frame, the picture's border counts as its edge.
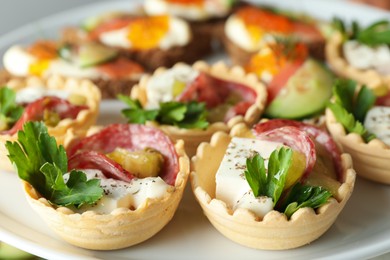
(40, 162)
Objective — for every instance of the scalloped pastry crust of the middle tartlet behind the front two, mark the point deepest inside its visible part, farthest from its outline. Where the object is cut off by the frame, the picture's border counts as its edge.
(193, 137)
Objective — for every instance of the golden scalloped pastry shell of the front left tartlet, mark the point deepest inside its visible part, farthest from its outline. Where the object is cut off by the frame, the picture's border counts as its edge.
(121, 228)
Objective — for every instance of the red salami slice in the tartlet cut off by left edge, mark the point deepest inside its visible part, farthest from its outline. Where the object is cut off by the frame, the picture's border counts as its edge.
(35, 111)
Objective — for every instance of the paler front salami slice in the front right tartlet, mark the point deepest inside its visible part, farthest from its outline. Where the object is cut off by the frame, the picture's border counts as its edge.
(295, 138)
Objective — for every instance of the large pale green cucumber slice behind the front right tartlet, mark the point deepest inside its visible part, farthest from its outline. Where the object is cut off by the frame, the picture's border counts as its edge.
(305, 93)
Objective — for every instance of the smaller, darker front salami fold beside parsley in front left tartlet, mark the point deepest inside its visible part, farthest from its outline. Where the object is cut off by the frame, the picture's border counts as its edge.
(95, 160)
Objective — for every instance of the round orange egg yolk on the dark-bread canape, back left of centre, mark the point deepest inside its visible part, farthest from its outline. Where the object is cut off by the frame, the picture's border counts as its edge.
(146, 33)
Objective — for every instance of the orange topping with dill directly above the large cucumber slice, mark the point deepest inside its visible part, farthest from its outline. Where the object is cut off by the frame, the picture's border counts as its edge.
(273, 58)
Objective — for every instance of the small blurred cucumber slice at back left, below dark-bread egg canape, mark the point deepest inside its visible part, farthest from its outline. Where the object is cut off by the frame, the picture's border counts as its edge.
(92, 54)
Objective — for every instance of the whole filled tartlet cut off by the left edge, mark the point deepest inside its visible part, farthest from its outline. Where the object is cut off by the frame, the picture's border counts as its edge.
(63, 104)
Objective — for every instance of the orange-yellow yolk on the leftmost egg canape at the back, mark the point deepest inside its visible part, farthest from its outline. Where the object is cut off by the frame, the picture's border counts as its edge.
(44, 51)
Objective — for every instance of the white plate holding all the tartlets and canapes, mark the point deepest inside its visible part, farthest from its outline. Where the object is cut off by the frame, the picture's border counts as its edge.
(361, 231)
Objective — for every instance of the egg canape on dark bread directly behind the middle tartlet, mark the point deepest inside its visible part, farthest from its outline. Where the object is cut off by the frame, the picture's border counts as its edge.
(153, 41)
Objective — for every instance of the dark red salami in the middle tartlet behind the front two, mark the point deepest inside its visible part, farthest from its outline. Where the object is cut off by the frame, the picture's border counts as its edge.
(214, 91)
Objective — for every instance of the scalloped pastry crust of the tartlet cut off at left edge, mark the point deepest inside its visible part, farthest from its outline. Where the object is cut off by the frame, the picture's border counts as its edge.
(84, 119)
